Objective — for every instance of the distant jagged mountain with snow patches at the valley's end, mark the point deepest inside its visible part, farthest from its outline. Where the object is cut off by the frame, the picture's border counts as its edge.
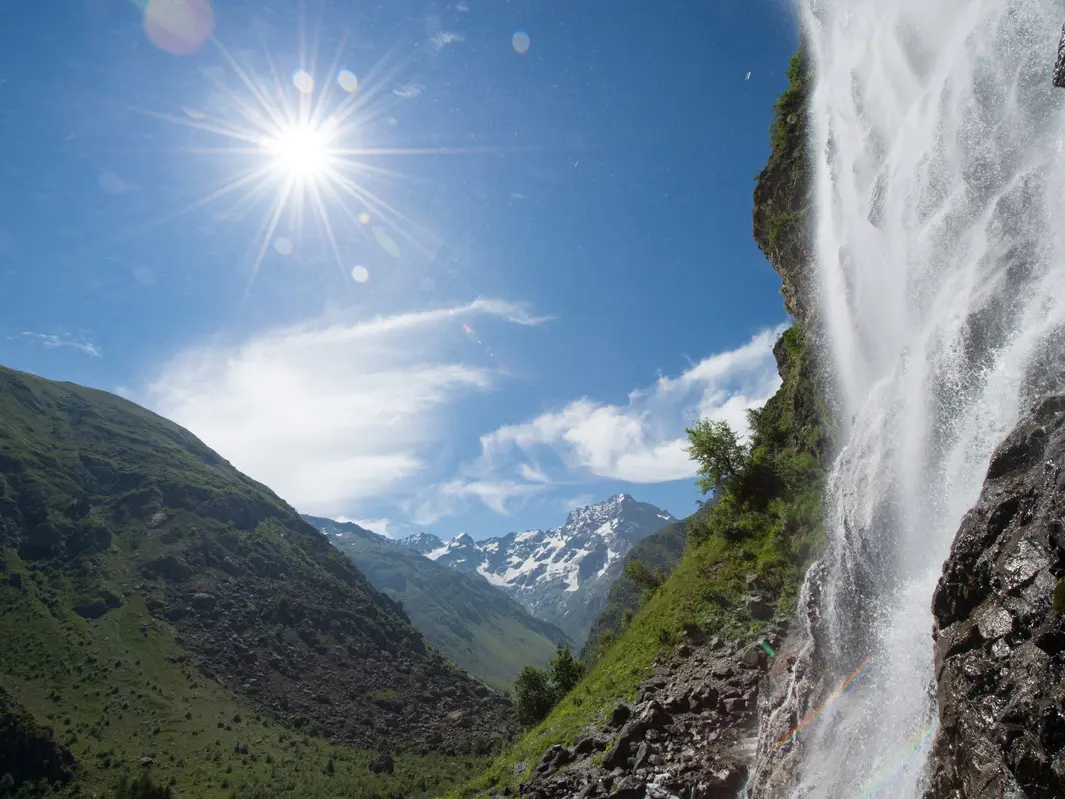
(563, 575)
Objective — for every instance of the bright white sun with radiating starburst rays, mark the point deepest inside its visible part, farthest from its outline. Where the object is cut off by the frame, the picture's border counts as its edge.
(298, 148)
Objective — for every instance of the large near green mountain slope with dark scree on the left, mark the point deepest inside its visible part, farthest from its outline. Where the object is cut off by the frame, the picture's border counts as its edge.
(163, 613)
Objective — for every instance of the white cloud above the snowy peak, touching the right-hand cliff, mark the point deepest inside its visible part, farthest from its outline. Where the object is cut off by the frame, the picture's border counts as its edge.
(643, 442)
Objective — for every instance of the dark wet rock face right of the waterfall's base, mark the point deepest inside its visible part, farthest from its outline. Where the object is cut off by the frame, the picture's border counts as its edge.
(1000, 633)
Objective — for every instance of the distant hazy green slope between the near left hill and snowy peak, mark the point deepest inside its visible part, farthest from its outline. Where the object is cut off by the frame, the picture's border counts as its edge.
(476, 625)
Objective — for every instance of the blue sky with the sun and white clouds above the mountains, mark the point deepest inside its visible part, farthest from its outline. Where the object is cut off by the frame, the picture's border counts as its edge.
(550, 204)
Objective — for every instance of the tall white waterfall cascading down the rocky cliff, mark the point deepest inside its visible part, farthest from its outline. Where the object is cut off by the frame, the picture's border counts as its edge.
(940, 150)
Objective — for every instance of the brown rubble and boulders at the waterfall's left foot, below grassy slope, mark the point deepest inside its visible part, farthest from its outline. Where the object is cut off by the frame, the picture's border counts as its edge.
(690, 735)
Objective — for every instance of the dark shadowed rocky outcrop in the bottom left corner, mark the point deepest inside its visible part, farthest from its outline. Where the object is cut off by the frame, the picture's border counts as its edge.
(28, 753)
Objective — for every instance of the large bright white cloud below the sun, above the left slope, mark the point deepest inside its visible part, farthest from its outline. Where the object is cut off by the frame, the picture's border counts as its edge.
(333, 414)
